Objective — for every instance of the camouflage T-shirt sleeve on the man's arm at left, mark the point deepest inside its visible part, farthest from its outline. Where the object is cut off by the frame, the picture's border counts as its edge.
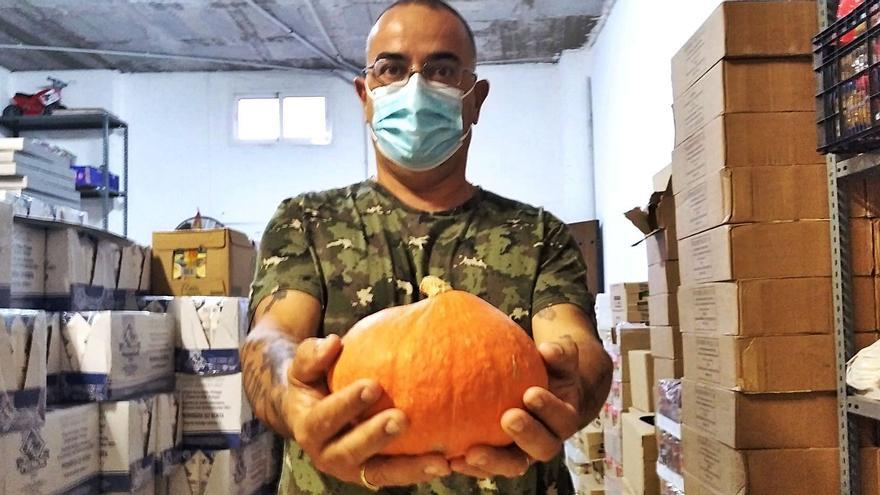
(286, 259)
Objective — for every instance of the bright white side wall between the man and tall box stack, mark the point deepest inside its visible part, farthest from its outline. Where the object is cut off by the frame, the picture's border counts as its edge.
(632, 115)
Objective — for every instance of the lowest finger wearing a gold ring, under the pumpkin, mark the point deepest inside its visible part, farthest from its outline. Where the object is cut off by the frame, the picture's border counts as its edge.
(405, 470)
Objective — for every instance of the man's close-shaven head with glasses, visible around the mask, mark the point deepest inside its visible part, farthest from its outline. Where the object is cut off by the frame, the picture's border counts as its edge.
(412, 33)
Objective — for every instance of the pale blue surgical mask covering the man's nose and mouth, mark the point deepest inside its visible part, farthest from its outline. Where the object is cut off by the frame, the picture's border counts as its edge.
(417, 124)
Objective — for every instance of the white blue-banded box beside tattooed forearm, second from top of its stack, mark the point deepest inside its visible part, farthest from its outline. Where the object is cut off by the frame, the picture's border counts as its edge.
(216, 413)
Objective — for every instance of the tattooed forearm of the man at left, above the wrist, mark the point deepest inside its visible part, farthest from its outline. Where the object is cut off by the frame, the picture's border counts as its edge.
(266, 356)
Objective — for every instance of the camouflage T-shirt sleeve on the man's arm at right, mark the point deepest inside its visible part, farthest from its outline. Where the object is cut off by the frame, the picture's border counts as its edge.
(562, 274)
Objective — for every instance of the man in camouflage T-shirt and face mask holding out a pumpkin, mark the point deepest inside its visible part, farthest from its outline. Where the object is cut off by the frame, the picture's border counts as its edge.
(329, 259)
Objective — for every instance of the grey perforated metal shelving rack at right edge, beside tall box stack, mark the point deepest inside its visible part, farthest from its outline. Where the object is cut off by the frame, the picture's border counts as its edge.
(849, 407)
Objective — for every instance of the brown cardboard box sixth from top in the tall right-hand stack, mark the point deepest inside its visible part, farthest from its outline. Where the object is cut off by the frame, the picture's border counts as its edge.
(753, 308)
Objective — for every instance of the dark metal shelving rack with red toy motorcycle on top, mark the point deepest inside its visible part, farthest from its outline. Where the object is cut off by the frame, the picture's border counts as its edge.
(99, 120)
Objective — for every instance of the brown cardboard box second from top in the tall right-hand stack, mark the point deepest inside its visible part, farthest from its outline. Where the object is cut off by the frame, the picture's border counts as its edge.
(744, 86)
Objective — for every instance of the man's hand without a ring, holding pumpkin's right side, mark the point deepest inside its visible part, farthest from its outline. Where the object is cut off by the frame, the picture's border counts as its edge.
(580, 374)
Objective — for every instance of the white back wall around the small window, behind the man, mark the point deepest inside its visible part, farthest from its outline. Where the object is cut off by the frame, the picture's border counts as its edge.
(182, 156)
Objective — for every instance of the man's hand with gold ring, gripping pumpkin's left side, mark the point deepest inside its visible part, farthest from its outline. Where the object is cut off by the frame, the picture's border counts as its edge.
(322, 424)
